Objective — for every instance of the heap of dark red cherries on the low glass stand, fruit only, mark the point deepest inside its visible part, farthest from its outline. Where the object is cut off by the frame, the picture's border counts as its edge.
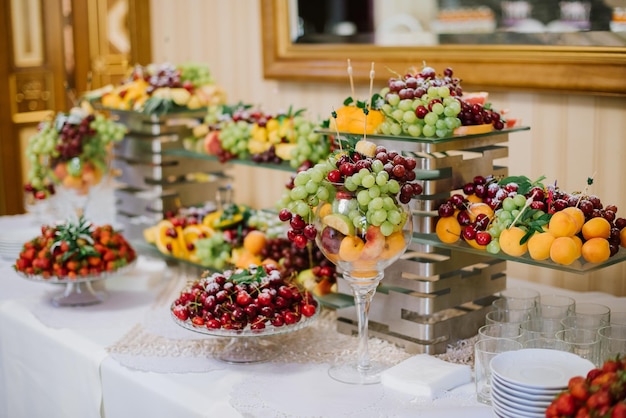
(253, 298)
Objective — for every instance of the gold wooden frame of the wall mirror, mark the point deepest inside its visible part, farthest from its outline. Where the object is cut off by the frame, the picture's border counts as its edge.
(555, 68)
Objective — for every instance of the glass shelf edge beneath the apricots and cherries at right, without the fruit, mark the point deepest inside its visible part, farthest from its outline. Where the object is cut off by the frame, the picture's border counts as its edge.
(579, 266)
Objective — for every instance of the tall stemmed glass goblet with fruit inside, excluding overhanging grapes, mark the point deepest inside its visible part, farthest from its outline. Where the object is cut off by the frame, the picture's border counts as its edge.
(362, 239)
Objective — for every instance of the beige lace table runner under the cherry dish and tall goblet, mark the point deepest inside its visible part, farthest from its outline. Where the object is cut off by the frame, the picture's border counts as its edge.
(160, 345)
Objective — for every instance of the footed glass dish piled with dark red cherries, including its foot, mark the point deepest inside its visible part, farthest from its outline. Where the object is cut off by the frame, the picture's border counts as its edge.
(243, 305)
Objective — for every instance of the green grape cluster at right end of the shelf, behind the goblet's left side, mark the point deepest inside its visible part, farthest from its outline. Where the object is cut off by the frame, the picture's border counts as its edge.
(310, 145)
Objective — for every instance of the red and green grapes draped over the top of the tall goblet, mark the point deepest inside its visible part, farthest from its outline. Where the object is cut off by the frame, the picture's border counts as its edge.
(379, 177)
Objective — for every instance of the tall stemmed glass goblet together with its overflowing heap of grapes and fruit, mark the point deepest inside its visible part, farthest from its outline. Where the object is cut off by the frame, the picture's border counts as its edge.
(355, 207)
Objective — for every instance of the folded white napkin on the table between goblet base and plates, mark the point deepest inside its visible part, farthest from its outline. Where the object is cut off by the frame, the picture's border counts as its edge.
(426, 376)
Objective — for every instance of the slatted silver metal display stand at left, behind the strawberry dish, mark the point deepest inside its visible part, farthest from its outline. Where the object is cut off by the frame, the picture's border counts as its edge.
(152, 182)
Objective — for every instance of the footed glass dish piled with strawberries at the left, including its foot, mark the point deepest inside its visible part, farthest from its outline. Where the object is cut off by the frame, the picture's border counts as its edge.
(75, 253)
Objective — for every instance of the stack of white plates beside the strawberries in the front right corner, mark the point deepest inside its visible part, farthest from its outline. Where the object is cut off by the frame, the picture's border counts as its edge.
(525, 382)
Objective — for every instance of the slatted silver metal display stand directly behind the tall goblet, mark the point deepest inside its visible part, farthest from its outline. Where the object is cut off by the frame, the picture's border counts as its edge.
(434, 296)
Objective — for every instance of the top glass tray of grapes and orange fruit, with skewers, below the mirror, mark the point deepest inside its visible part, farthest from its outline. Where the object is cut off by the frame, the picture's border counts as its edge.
(423, 106)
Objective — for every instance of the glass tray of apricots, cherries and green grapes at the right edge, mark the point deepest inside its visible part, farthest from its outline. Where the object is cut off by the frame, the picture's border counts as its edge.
(517, 219)
